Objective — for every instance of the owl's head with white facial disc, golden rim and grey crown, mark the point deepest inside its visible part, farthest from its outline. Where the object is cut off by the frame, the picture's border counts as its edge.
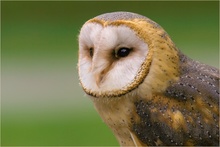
(121, 51)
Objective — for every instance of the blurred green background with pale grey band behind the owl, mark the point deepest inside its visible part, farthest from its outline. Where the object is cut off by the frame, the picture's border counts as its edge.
(42, 103)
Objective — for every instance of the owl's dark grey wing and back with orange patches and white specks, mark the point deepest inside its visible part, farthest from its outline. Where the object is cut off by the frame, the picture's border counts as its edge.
(186, 113)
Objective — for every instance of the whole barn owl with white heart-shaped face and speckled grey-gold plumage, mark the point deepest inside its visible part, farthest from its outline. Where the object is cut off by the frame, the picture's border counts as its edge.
(143, 87)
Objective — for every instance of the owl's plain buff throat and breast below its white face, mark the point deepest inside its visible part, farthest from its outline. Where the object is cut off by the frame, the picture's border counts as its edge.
(119, 114)
